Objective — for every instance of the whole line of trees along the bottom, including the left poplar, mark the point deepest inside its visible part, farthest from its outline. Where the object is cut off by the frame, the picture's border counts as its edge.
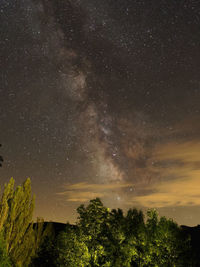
(100, 237)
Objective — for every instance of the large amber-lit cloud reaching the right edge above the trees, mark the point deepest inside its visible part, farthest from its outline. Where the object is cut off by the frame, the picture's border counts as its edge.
(181, 186)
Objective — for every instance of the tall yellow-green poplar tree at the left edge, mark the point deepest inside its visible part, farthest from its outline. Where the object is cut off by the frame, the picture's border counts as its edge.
(16, 209)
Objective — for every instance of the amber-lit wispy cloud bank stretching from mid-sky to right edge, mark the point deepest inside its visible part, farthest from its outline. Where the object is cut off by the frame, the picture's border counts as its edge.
(177, 165)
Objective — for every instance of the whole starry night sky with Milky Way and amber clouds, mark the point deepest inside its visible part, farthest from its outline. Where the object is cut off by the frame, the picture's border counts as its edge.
(102, 99)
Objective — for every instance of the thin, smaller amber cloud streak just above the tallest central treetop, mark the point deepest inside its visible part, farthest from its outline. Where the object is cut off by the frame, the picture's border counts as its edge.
(82, 192)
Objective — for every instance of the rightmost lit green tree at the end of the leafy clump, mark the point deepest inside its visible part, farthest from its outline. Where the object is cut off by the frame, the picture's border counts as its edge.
(166, 244)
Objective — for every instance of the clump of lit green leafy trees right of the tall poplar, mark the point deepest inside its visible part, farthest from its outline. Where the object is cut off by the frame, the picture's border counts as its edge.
(110, 238)
